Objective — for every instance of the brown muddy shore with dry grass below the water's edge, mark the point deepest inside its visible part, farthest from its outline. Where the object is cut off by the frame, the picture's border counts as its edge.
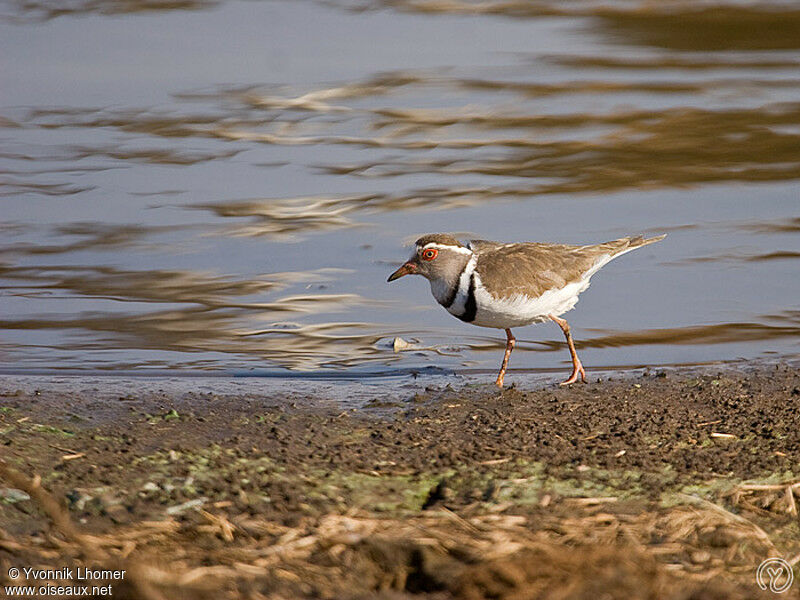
(670, 484)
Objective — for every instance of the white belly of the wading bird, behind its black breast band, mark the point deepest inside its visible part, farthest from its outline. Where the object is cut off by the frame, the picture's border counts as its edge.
(520, 310)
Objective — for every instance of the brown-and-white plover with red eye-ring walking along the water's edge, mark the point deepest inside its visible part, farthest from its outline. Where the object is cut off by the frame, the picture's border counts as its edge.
(499, 285)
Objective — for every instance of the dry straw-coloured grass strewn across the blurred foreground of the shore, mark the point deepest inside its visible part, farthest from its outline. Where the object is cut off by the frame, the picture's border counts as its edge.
(204, 554)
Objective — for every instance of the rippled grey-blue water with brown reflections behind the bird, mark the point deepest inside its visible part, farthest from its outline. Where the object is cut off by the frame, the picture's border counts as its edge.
(226, 185)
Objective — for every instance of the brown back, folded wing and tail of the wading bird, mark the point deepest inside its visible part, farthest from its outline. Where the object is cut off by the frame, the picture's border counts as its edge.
(533, 268)
